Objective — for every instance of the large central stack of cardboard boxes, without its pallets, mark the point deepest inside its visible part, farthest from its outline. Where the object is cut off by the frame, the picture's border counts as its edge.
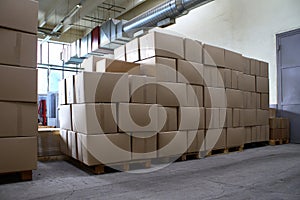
(164, 96)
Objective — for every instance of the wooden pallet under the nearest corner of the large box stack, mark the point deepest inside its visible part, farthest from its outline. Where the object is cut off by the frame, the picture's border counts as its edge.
(115, 167)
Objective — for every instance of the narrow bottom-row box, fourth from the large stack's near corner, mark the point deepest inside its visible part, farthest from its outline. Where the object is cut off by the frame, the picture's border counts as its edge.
(195, 141)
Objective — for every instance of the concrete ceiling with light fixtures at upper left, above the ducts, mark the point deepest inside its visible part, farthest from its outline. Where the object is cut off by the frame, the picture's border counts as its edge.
(92, 13)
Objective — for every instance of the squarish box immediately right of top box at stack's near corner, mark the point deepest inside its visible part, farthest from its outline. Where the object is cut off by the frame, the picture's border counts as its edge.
(142, 89)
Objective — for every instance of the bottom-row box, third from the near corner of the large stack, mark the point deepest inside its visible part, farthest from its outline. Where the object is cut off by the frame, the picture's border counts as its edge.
(172, 143)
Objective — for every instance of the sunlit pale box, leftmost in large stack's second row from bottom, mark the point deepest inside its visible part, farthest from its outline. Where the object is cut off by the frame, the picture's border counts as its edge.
(65, 117)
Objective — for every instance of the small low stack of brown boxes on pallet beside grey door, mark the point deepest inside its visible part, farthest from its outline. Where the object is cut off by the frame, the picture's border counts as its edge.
(279, 129)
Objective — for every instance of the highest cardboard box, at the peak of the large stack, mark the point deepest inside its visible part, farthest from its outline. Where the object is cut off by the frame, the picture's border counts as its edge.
(161, 44)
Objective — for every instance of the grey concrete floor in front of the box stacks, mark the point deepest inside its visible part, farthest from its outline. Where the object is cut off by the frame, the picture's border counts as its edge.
(271, 172)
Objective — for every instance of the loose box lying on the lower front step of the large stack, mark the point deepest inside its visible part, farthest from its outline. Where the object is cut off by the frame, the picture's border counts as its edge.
(117, 66)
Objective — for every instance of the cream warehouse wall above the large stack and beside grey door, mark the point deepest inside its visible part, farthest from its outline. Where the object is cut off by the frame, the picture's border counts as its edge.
(249, 27)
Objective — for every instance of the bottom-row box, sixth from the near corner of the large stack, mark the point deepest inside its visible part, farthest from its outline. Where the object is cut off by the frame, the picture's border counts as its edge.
(235, 137)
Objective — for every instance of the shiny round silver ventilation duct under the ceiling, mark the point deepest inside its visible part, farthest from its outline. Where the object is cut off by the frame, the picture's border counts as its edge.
(169, 9)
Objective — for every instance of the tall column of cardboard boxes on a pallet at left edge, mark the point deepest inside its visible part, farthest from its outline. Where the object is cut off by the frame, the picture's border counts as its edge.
(18, 87)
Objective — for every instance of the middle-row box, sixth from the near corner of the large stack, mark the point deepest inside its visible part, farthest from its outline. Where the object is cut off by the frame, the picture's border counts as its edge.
(234, 98)
